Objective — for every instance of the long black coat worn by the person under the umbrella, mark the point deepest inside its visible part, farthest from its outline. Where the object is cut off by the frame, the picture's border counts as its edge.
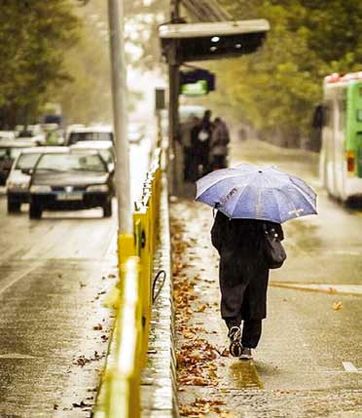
(243, 270)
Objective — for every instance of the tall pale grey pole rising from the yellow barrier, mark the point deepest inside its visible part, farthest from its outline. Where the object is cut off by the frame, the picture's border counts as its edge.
(119, 87)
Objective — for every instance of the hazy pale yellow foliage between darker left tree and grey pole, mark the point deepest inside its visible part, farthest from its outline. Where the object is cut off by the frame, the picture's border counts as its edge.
(86, 97)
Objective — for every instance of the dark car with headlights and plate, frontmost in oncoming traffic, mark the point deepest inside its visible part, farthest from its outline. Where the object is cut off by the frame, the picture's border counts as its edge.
(70, 181)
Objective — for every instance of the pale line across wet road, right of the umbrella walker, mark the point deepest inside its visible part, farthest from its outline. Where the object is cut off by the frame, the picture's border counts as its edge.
(346, 289)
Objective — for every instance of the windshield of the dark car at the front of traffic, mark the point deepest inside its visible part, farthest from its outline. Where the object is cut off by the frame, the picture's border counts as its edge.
(71, 162)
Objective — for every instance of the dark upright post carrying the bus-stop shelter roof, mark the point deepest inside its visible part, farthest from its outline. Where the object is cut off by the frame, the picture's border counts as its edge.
(173, 101)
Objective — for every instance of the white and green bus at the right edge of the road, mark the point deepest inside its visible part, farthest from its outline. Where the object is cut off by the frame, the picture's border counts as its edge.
(341, 153)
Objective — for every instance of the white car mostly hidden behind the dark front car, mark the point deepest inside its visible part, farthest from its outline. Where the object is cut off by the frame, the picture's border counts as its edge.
(17, 183)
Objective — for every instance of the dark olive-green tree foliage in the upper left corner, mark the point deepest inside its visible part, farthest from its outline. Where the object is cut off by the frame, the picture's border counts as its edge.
(34, 35)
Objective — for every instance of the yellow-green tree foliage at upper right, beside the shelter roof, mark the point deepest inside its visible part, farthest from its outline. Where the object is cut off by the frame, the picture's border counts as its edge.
(276, 89)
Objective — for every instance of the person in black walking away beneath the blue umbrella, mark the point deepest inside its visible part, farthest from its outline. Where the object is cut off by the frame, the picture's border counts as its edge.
(243, 275)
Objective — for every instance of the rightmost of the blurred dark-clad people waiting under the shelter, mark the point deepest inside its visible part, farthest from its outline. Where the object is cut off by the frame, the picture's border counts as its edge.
(220, 139)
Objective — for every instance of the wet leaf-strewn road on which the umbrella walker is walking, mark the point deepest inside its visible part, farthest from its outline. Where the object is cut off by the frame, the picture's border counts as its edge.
(309, 361)
